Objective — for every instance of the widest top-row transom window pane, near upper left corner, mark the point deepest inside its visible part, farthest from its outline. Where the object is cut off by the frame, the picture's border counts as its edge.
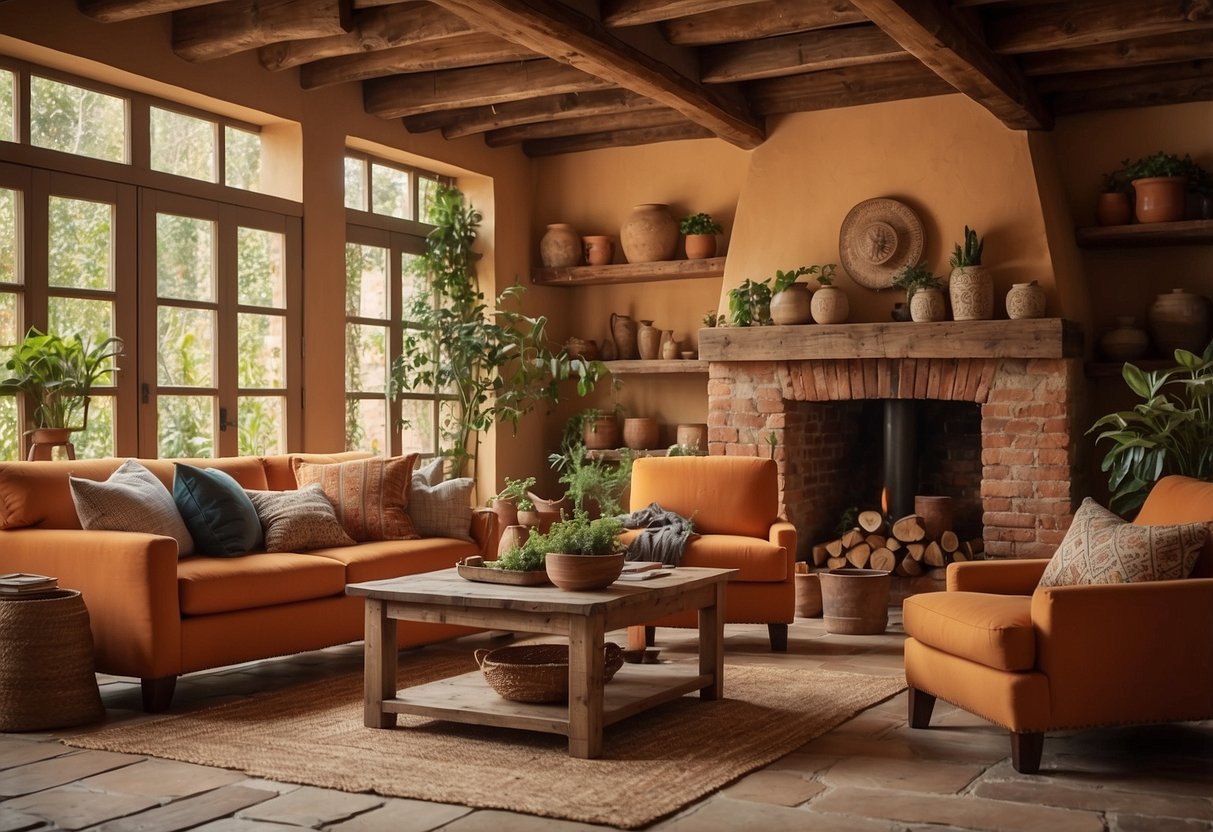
(71, 119)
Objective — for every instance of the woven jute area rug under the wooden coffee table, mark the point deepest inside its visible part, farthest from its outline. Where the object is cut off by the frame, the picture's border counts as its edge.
(653, 763)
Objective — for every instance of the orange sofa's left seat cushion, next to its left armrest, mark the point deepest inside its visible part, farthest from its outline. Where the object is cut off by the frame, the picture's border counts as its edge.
(223, 585)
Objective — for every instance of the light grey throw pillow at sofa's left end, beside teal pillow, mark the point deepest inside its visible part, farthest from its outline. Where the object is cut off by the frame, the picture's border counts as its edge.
(132, 500)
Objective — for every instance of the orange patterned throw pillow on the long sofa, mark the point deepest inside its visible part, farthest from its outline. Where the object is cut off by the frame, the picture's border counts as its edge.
(371, 497)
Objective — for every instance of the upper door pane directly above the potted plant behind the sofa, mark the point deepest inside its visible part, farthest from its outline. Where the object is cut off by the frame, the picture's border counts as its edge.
(81, 244)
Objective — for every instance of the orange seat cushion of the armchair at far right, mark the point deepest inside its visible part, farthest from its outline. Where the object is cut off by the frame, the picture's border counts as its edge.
(995, 631)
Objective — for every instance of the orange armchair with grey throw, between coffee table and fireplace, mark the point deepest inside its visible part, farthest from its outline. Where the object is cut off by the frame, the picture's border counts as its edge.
(733, 503)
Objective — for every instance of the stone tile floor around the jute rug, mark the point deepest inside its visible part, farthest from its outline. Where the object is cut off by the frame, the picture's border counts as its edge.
(872, 773)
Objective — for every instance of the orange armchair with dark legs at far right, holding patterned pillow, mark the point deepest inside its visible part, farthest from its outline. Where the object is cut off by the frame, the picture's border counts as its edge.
(1039, 659)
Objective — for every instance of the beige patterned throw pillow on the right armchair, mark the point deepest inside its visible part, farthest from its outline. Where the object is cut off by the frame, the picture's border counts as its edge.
(1103, 549)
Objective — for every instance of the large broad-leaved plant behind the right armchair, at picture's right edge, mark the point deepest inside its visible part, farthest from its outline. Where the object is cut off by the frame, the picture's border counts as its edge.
(1169, 432)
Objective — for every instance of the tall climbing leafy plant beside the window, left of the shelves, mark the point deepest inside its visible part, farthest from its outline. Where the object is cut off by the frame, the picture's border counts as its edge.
(496, 360)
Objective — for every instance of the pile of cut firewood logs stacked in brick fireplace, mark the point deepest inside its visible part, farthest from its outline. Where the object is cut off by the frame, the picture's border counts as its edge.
(901, 548)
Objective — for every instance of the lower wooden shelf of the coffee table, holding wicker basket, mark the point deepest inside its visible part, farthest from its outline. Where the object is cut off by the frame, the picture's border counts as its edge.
(469, 699)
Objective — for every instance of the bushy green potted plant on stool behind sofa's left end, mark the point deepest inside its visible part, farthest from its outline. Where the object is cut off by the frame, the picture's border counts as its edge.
(56, 375)
